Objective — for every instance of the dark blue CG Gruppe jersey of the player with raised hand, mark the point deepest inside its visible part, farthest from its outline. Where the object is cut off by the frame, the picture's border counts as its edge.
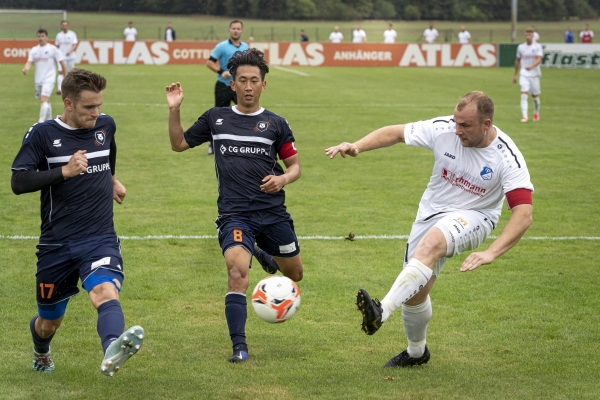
(245, 148)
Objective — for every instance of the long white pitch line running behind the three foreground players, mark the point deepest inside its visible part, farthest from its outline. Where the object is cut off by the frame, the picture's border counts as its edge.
(310, 237)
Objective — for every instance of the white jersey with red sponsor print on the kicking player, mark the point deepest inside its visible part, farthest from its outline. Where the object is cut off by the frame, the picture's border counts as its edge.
(466, 178)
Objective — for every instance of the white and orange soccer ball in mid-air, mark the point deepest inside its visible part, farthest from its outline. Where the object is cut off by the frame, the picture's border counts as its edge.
(276, 299)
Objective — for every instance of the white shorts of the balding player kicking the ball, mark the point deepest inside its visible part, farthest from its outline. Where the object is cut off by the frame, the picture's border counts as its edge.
(464, 230)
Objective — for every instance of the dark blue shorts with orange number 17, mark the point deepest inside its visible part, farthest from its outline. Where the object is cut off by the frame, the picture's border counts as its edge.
(60, 266)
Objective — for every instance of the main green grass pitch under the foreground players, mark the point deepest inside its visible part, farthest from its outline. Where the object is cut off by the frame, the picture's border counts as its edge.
(526, 326)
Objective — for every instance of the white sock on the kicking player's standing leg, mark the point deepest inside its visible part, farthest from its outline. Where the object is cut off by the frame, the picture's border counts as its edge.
(415, 320)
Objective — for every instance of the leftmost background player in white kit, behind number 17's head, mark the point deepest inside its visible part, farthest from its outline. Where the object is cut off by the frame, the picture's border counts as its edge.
(45, 56)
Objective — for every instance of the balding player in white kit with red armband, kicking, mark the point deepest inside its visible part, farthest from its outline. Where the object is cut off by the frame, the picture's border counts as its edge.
(476, 167)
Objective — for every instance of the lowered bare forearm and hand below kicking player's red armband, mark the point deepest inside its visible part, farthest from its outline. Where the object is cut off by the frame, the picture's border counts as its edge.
(519, 222)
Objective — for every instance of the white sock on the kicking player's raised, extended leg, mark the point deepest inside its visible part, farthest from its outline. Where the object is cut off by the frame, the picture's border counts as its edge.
(412, 279)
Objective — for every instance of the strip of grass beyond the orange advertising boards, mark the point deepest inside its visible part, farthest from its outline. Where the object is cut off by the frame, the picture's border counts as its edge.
(203, 27)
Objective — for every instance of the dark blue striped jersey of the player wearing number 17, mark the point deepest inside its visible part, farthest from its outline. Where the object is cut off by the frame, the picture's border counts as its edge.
(82, 206)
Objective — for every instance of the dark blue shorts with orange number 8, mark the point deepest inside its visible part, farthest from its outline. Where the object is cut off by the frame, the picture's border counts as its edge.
(274, 233)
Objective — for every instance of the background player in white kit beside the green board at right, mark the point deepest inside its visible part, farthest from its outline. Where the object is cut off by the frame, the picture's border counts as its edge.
(529, 58)
